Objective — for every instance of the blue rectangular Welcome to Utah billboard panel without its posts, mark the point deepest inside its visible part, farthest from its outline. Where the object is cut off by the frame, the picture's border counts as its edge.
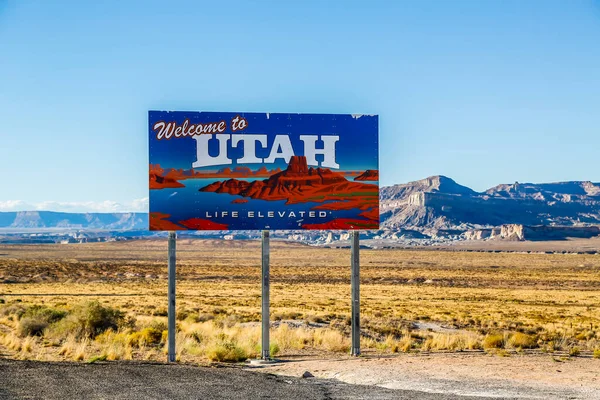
(242, 171)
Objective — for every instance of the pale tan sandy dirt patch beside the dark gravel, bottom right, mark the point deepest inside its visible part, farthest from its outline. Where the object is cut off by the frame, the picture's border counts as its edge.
(530, 376)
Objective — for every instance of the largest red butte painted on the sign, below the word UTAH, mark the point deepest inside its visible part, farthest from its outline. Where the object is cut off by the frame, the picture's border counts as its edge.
(299, 183)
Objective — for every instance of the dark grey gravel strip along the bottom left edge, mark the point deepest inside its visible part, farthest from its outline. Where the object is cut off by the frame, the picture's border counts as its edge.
(135, 380)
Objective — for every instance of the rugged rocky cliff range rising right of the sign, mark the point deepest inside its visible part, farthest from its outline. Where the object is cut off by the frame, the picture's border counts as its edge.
(439, 203)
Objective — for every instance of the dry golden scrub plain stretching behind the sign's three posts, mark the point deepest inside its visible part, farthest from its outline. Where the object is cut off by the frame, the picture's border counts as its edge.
(107, 301)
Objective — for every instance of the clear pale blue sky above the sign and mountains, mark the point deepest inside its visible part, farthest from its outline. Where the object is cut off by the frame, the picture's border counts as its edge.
(485, 92)
